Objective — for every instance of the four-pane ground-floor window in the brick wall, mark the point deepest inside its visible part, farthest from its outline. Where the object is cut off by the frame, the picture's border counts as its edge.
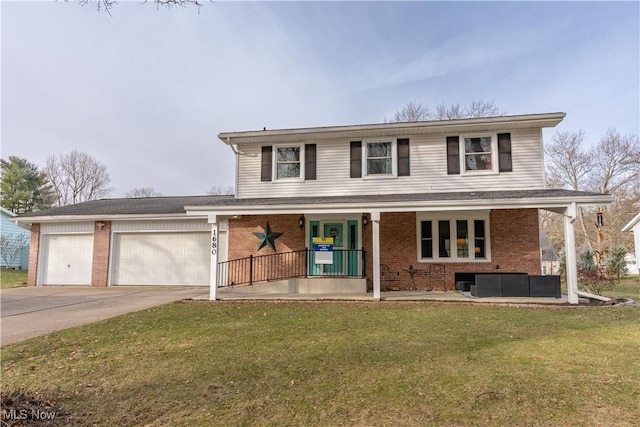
(456, 237)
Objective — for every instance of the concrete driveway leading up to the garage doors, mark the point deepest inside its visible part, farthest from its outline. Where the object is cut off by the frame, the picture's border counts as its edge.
(34, 311)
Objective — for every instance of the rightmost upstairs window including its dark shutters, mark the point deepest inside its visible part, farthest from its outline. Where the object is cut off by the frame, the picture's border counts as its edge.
(476, 153)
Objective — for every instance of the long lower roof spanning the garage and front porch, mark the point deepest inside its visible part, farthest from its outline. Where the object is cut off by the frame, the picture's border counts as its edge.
(230, 205)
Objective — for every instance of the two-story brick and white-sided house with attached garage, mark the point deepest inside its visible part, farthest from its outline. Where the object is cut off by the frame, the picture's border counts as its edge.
(394, 197)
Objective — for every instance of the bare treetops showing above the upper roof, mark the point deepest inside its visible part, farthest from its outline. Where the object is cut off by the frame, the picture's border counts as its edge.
(414, 111)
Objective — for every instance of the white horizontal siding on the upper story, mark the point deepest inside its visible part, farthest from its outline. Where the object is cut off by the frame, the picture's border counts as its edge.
(428, 171)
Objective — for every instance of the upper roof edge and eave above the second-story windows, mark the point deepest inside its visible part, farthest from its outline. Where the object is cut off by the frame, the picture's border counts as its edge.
(394, 129)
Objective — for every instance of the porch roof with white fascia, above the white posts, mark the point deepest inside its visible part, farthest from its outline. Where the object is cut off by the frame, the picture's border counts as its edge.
(553, 200)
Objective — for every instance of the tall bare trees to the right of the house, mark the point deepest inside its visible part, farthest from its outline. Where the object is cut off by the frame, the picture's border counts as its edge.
(611, 166)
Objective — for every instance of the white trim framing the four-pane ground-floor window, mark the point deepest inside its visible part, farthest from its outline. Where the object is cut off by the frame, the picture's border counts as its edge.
(453, 217)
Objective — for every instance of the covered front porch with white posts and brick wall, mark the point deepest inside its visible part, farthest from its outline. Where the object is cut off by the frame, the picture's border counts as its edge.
(406, 231)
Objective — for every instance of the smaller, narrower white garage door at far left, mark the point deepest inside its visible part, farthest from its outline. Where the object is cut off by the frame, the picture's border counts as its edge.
(67, 259)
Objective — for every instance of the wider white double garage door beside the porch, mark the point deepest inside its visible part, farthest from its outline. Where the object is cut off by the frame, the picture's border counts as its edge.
(161, 259)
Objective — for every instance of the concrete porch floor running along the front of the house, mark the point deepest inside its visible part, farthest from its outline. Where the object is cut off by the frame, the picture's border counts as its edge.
(228, 294)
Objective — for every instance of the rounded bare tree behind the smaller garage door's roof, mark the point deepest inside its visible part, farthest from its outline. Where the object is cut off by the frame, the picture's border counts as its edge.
(77, 177)
